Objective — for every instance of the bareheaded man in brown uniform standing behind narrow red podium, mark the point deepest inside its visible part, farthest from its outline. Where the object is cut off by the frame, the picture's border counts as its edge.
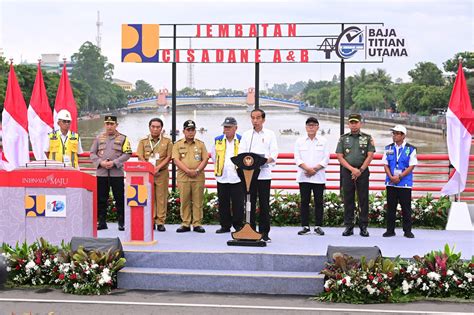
(156, 149)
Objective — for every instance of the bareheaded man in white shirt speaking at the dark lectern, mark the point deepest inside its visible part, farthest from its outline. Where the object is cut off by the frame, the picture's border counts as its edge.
(261, 141)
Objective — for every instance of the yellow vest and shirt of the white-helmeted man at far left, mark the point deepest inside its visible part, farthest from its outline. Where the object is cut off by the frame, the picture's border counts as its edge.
(64, 148)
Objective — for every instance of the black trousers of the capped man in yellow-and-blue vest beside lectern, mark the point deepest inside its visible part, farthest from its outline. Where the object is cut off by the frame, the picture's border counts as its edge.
(228, 193)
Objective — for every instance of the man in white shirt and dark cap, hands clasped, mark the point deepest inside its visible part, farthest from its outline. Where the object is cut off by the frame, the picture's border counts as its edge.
(312, 158)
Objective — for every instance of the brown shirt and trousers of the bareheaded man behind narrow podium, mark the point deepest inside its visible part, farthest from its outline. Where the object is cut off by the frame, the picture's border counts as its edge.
(155, 152)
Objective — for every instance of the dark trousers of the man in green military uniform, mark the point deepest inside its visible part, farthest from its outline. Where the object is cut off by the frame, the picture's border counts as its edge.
(350, 188)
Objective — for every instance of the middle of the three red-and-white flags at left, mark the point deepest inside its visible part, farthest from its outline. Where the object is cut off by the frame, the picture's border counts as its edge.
(40, 118)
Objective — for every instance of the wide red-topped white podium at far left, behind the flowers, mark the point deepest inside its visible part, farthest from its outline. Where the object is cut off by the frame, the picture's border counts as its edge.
(53, 203)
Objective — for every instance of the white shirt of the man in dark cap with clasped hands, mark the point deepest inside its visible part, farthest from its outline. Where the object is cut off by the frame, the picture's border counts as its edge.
(312, 153)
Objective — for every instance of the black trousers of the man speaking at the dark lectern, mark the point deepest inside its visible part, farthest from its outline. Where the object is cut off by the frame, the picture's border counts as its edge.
(260, 189)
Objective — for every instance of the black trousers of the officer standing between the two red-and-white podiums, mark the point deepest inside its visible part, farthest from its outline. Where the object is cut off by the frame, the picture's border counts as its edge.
(103, 187)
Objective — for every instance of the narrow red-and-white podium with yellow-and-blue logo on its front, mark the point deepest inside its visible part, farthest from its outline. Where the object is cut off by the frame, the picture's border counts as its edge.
(139, 203)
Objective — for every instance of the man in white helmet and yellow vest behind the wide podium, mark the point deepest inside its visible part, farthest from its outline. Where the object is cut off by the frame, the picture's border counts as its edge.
(64, 144)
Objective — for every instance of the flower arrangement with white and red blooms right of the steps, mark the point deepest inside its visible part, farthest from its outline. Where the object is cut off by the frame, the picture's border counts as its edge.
(437, 274)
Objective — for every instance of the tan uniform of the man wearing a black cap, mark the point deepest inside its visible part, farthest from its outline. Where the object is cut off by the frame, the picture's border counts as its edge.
(191, 190)
